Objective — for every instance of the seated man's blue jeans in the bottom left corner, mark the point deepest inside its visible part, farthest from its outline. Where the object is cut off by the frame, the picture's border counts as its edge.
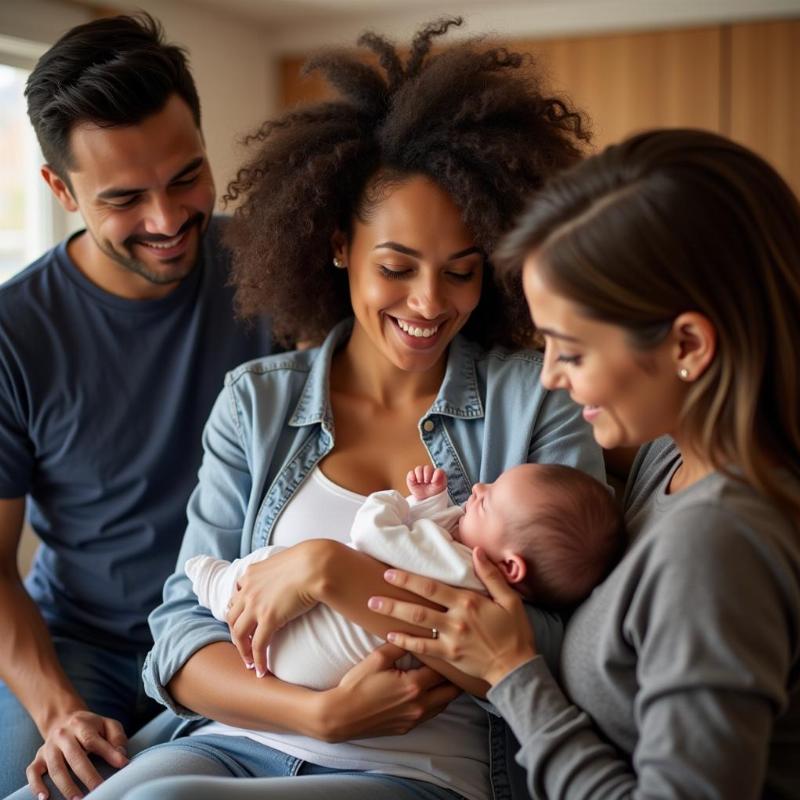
(110, 684)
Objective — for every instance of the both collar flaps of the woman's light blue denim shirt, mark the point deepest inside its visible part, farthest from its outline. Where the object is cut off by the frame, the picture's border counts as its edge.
(458, 395)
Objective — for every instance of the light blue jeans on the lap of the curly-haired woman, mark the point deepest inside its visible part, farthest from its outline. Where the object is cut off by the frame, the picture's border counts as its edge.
(208, 767)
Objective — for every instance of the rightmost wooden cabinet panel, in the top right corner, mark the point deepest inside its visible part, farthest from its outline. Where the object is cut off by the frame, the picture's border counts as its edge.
(765, 92)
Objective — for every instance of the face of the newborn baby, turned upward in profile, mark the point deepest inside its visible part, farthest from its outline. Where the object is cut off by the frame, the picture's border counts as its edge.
(490, 508)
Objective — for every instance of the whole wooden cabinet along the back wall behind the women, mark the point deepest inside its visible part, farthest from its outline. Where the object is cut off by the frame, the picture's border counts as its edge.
(742, 80)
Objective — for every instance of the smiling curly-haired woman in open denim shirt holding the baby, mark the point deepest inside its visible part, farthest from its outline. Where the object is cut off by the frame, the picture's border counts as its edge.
(366, 227)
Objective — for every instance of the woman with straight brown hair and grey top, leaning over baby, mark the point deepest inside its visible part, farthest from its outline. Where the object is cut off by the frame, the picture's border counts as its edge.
(664, 275)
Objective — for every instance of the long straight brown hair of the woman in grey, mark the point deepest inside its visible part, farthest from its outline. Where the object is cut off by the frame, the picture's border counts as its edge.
(671, 221)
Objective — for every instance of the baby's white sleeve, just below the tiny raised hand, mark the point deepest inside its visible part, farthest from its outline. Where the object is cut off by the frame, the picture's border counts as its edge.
(391, 530)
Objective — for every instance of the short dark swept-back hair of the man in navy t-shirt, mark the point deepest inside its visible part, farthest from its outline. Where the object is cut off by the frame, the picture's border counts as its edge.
(112, 71)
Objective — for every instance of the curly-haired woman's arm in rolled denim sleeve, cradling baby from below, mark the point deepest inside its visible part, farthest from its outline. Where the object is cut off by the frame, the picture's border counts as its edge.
(192, 656)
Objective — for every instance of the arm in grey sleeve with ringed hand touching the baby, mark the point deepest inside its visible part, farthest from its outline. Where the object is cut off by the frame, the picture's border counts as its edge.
(707, 622)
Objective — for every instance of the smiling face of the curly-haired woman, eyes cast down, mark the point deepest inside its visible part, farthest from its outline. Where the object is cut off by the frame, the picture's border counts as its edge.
(415, 276)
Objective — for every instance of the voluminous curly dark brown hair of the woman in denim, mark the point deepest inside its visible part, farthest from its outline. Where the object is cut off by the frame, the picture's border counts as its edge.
(470, 118)
